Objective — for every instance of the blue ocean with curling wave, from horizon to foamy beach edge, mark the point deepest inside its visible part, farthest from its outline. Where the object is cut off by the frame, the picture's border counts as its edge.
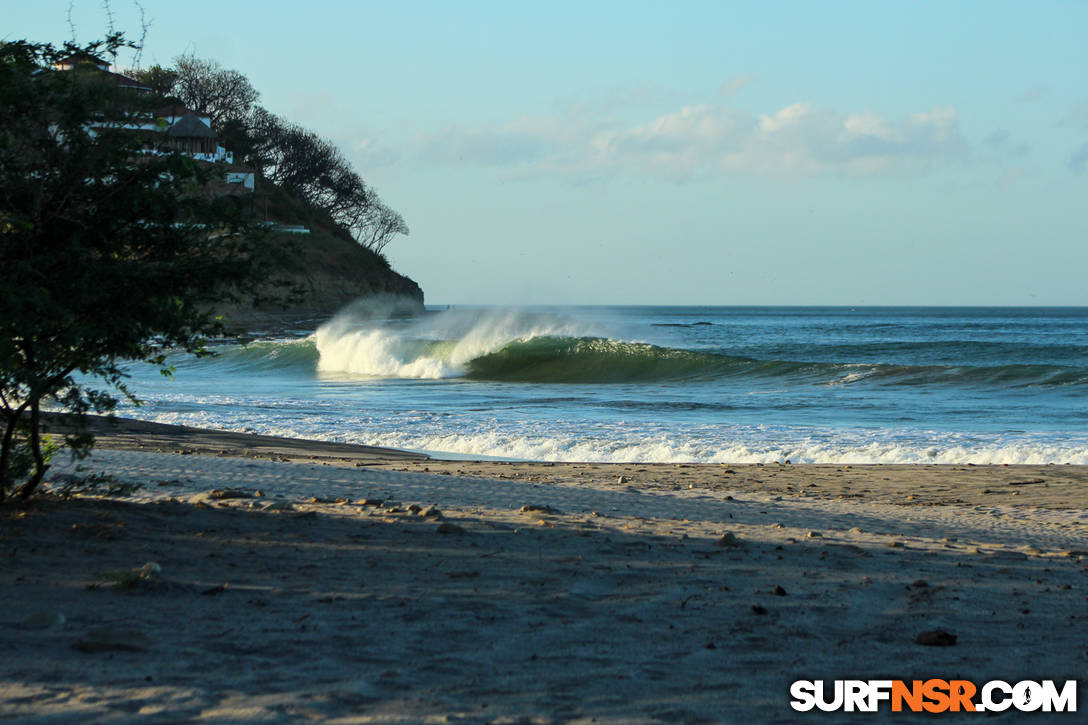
(730, 385)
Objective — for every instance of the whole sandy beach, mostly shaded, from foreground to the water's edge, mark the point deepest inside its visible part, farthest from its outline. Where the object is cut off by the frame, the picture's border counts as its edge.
(256, 580)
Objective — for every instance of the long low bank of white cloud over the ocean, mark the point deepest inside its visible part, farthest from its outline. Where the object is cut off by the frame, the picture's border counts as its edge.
(798, 140)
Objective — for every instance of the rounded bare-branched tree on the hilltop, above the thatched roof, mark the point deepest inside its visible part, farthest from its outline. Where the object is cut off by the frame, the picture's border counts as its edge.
(208, 89)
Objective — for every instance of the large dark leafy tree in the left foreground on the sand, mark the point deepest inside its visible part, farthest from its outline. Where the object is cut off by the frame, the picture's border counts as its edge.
(113, 250)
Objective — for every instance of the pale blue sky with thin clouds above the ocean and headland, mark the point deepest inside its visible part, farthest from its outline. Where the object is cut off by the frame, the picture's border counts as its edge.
(678, 153)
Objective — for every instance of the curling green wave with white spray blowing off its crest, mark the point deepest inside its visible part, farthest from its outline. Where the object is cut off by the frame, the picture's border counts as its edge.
(539, 348)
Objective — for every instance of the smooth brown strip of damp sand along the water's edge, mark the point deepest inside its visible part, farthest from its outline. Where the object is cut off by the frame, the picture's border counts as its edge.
(1048, 486)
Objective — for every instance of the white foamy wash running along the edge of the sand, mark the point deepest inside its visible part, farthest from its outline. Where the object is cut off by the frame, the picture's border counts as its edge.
(730, 445)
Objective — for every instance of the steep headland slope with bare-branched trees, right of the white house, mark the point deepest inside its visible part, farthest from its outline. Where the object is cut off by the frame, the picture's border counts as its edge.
(302, 180)
